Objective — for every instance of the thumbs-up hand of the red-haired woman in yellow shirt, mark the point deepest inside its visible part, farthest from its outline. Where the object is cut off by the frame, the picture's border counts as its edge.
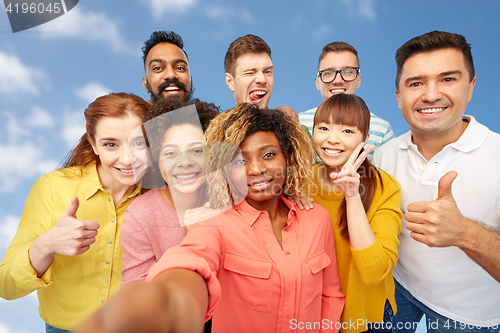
(70, 237)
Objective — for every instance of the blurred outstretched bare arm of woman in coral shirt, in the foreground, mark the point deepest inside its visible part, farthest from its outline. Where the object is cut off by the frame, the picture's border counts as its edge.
(175, 301)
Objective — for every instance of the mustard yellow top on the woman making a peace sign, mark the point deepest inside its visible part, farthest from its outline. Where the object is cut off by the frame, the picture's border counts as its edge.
(365, 274)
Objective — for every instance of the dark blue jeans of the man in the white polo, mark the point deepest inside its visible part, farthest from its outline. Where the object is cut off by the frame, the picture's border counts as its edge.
(411, 310)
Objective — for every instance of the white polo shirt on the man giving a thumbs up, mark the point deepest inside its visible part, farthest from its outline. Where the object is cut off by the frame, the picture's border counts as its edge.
(446, 279)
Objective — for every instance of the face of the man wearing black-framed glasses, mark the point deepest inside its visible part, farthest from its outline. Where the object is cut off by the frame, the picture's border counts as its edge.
(338, 60)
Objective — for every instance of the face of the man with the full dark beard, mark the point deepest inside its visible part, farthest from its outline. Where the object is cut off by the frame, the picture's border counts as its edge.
(167, 73)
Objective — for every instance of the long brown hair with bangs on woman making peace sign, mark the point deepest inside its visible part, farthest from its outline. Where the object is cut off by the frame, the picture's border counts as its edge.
(351, 110)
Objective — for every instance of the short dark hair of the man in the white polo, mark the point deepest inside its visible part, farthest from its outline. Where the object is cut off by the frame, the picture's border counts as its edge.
(431, 41)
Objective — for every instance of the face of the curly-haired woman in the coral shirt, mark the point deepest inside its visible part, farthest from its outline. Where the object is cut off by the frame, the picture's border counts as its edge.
(265, 167)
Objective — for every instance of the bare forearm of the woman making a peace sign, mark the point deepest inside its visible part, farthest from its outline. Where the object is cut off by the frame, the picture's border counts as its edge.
(360, 233)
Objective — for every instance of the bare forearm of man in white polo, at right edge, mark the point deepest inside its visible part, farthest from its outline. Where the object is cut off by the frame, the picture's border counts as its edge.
(481, 245)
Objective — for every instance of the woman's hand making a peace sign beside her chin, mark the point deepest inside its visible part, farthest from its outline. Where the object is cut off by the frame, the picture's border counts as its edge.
(348, 178)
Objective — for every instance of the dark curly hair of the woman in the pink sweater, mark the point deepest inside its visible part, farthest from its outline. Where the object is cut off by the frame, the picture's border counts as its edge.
(161, 118)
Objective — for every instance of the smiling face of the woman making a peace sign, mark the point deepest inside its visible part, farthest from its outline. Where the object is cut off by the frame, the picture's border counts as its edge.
(335, 143)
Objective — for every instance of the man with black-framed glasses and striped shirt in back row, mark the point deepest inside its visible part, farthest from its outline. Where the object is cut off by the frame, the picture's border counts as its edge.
(338, 73)
